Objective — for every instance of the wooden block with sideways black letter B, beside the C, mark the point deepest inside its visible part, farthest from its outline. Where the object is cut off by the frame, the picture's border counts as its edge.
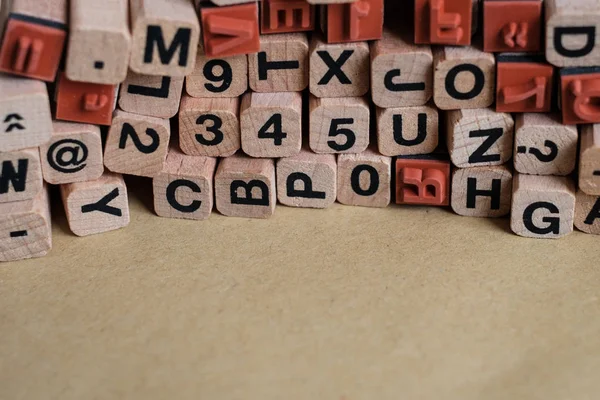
(245, 187)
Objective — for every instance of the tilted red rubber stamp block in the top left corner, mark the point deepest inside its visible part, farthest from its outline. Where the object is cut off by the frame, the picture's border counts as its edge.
(32, 47)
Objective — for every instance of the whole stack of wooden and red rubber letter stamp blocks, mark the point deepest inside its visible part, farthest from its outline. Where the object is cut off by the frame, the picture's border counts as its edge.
(238, 104)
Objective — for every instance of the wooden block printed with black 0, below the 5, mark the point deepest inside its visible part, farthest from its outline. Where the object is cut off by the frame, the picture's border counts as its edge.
(364, 179)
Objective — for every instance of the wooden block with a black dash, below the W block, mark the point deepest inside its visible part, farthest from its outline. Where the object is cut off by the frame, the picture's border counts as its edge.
(25, 228)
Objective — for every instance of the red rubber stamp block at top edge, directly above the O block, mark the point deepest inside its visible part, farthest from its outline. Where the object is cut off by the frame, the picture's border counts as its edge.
(443, 22)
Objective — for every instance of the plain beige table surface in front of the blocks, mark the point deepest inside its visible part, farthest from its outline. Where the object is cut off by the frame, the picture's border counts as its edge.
(348, 303)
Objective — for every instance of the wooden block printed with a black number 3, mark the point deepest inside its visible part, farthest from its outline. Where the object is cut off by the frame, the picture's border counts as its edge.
(209, 127)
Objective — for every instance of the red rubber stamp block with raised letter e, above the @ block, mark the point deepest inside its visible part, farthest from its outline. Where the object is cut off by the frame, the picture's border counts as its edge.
(84, 102)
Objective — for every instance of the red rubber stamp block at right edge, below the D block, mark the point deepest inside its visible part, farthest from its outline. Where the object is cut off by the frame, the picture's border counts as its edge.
(580, 95)
